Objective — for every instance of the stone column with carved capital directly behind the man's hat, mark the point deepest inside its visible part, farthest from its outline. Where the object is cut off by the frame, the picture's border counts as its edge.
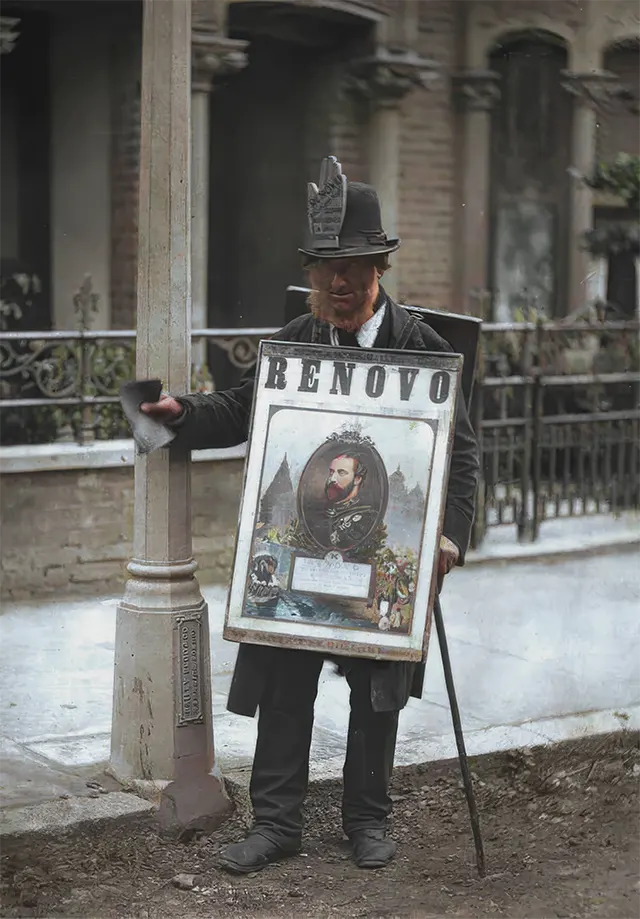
(383, 81)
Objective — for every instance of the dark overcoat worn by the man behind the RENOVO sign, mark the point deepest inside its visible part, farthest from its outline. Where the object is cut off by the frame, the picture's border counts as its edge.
(222, 420)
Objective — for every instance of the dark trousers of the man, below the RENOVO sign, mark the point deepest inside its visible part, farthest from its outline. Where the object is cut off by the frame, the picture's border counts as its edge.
(281, 765)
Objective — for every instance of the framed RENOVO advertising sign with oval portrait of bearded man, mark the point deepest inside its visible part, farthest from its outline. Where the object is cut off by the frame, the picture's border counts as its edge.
(343, 499)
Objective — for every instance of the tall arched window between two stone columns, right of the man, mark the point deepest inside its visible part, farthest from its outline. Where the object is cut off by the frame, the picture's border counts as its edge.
(530, 157)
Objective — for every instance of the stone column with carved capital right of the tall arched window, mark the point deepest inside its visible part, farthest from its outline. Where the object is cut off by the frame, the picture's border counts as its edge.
(593, 92)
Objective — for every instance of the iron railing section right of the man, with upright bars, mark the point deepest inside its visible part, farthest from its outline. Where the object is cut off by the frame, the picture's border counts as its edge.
(557, 413)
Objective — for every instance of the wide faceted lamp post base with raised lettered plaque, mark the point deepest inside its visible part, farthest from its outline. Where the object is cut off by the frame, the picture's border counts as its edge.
(162, 730)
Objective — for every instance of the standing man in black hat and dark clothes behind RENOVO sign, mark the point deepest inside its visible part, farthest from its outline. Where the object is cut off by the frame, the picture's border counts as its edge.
(346, 254)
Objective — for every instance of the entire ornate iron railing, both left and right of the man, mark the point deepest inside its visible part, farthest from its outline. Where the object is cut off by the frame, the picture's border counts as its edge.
(556, 407)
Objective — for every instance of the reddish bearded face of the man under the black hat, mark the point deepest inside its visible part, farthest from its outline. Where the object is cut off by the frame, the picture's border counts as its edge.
(343, 291)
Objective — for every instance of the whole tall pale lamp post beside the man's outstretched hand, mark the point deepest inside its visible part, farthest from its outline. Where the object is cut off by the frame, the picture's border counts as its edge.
(162, 732)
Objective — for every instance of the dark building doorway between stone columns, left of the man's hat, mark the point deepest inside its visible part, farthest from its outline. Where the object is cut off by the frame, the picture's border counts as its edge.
(271, 125)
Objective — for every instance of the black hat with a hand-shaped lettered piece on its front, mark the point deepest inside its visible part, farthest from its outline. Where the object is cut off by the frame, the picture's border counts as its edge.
(344, 217)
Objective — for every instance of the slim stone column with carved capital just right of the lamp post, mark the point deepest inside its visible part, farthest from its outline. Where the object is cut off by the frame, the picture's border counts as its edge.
(214, 58)
